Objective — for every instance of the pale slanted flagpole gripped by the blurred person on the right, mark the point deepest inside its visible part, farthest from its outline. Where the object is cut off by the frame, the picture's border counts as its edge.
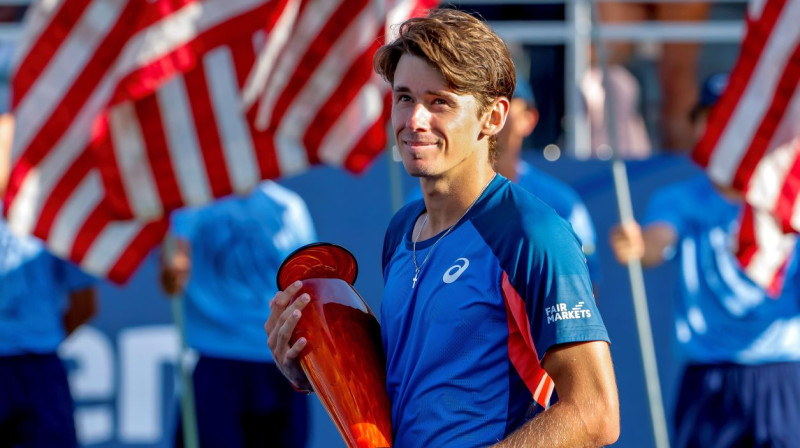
(641, 312)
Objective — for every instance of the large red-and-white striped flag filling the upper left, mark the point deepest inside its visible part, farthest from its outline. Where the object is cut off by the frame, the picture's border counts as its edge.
(128, 109)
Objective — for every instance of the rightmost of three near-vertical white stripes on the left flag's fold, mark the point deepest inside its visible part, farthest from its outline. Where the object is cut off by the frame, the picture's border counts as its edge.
(234, 133)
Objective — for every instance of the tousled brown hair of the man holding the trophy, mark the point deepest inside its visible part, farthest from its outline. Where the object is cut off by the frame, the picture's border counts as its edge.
(470, 56)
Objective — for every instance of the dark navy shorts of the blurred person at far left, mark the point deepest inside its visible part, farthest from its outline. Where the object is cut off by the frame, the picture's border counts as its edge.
(36, 408)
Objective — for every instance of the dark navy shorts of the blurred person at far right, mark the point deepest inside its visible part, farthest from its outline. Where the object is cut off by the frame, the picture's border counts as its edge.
(726, 405)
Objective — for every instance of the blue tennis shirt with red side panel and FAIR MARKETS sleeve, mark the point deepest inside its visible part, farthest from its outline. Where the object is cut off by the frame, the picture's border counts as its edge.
(464, 345)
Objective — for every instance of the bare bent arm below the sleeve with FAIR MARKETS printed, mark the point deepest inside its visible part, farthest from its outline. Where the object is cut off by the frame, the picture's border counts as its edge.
(587, 411)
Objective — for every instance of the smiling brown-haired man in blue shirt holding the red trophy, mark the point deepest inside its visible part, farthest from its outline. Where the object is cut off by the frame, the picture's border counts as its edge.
(482, 280)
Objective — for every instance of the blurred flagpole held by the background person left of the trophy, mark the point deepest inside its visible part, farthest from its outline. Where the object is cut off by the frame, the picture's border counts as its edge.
(185, 382)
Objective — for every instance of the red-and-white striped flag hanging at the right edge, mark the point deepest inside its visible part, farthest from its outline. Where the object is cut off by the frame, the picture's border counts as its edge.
(751, 143)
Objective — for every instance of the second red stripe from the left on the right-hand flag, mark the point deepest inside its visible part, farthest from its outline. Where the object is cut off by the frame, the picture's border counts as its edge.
(784, 93)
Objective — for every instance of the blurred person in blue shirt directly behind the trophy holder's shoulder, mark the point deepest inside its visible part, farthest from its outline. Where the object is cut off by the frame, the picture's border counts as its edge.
(520, 123)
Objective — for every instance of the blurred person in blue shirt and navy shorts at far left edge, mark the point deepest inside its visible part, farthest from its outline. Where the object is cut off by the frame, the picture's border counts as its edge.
(42, 299)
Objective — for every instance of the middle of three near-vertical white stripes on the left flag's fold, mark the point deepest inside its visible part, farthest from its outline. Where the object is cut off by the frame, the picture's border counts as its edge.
(181, 135)
